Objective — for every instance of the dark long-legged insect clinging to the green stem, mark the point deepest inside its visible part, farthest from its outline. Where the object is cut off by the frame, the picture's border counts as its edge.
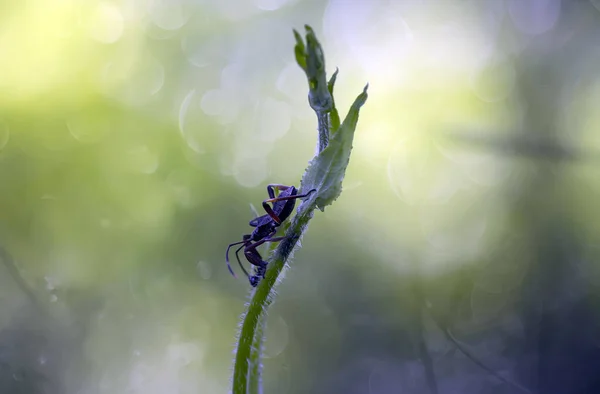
(265, 227)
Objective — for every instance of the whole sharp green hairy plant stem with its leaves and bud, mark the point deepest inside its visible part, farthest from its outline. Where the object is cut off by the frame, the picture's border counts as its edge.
(325, 174)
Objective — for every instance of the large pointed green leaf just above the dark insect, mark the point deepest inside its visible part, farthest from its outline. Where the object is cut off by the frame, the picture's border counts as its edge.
(326, 171)
